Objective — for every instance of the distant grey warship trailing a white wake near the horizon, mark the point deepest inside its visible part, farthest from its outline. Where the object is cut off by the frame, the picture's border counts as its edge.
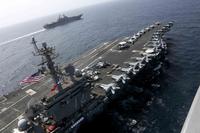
(62, 20)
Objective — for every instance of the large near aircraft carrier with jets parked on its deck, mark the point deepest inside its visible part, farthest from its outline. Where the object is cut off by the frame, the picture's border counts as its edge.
(83, 87)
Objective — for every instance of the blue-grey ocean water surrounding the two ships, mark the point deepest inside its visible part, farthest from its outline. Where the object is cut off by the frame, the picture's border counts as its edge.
(168, 108)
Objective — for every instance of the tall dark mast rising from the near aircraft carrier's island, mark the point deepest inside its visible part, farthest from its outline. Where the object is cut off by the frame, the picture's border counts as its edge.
(48, 53)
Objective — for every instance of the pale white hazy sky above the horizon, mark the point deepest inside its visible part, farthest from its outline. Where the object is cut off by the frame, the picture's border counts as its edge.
(15, 11)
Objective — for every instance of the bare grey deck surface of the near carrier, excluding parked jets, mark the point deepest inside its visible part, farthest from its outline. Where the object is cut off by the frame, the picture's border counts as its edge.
(13, 105)
